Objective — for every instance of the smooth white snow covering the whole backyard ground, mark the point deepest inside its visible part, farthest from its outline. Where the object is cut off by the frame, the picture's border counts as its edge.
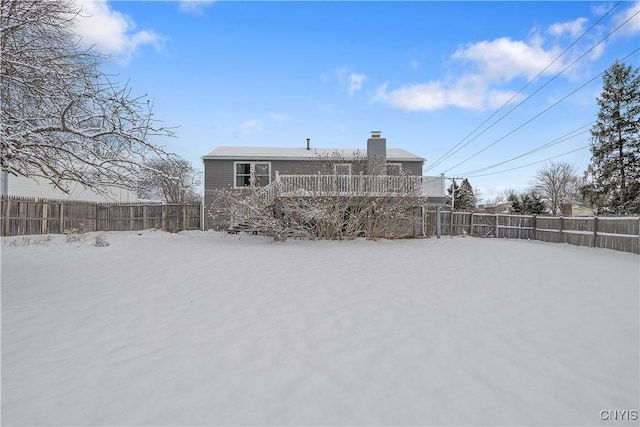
(206, 328)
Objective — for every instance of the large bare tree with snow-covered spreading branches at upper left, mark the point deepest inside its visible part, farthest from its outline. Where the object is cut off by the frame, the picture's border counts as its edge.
(62, 118)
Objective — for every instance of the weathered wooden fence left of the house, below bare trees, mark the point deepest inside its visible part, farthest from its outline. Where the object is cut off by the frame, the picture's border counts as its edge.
(22, 216)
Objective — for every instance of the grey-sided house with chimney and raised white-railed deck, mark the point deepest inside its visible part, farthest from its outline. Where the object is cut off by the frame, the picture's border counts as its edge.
(314, 171)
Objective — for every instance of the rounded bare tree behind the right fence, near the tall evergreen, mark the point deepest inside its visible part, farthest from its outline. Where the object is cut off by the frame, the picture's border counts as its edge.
(557, 183)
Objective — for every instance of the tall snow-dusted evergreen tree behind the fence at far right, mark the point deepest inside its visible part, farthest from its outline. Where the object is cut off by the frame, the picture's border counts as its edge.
(614, 171)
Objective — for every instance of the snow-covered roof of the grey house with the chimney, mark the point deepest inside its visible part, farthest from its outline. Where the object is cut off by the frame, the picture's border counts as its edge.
(298, 153)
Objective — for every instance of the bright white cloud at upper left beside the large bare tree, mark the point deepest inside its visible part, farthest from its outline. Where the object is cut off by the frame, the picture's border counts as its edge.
(111, 32)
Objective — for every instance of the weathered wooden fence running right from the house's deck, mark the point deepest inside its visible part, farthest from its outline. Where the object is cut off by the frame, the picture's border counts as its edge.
(619, 233)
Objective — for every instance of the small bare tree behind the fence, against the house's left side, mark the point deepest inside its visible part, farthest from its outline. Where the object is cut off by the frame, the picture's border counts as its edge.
(171, 178)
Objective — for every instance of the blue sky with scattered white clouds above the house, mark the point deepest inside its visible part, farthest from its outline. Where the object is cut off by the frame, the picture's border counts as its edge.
(467, 85)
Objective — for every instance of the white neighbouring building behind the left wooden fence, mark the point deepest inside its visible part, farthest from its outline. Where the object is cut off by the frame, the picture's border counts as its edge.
(20, 186)
